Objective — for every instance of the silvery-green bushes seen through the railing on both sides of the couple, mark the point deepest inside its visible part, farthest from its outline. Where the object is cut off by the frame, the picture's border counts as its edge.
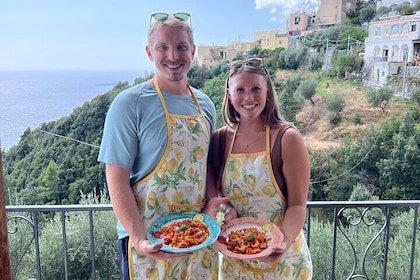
(352, 233)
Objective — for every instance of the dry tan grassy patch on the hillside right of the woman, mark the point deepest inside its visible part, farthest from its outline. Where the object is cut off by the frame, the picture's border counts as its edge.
(357, 114)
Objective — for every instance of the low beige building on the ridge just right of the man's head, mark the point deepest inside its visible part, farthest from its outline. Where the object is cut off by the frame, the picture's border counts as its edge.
(212, 55)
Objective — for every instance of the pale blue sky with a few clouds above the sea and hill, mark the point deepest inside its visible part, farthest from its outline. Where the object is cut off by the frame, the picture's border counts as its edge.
(112, 35)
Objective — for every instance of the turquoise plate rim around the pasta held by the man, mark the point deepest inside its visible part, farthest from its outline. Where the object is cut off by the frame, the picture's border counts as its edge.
(214, 229)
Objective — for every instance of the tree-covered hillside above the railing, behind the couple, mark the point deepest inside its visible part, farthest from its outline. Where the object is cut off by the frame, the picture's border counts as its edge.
(347, 130)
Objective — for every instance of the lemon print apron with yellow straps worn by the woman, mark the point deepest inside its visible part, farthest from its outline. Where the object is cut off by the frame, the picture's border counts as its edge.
(248, 180)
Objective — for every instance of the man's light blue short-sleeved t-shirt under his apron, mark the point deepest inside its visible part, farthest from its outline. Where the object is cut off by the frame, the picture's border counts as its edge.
(135, 131)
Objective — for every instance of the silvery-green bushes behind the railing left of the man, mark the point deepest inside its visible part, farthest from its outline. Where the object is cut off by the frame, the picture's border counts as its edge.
(78, 244)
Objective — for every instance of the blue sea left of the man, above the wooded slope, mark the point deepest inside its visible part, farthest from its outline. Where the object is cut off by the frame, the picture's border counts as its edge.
(30, 98)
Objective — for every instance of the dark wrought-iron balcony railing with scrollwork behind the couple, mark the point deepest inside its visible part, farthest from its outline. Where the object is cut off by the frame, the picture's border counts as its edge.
(342, 216)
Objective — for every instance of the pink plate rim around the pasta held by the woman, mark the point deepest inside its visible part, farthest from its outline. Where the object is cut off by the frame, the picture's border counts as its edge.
(271, 231)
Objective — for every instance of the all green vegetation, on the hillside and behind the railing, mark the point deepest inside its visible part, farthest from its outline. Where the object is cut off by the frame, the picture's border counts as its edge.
(357, 150)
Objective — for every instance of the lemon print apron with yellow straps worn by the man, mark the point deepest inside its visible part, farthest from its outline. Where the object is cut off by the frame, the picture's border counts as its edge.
(177, 184)
